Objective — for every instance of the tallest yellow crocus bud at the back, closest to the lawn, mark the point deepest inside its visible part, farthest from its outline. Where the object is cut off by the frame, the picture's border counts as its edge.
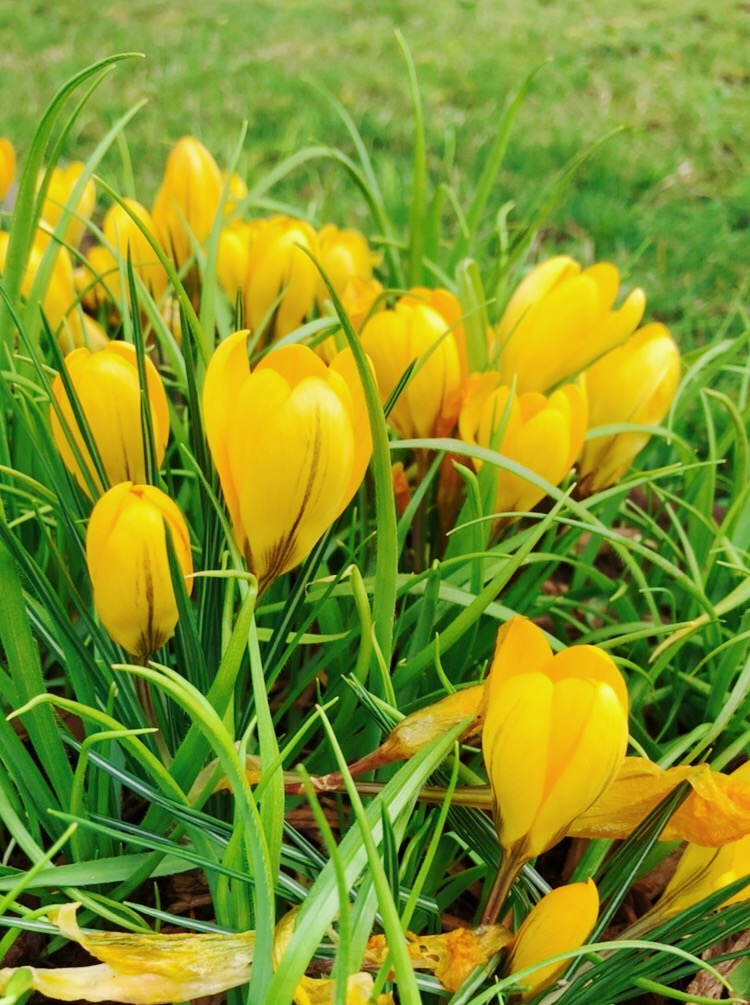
(187, 203)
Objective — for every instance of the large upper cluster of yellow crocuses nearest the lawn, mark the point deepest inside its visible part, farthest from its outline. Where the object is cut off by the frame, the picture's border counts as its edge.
(565, 360)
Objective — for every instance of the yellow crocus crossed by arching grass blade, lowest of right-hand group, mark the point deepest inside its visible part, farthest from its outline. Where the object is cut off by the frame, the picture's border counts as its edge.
(544, 435)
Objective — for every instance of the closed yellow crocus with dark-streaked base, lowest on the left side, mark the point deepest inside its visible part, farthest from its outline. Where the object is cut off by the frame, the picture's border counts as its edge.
(126, 551)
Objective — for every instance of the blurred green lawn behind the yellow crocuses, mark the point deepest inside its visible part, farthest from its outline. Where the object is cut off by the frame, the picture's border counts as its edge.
(668, 198)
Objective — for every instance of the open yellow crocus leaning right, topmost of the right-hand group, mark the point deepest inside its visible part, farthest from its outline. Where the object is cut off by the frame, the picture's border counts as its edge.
(560, 320)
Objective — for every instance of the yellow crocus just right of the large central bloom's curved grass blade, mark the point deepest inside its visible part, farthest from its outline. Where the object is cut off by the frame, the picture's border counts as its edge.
(416, 334)
